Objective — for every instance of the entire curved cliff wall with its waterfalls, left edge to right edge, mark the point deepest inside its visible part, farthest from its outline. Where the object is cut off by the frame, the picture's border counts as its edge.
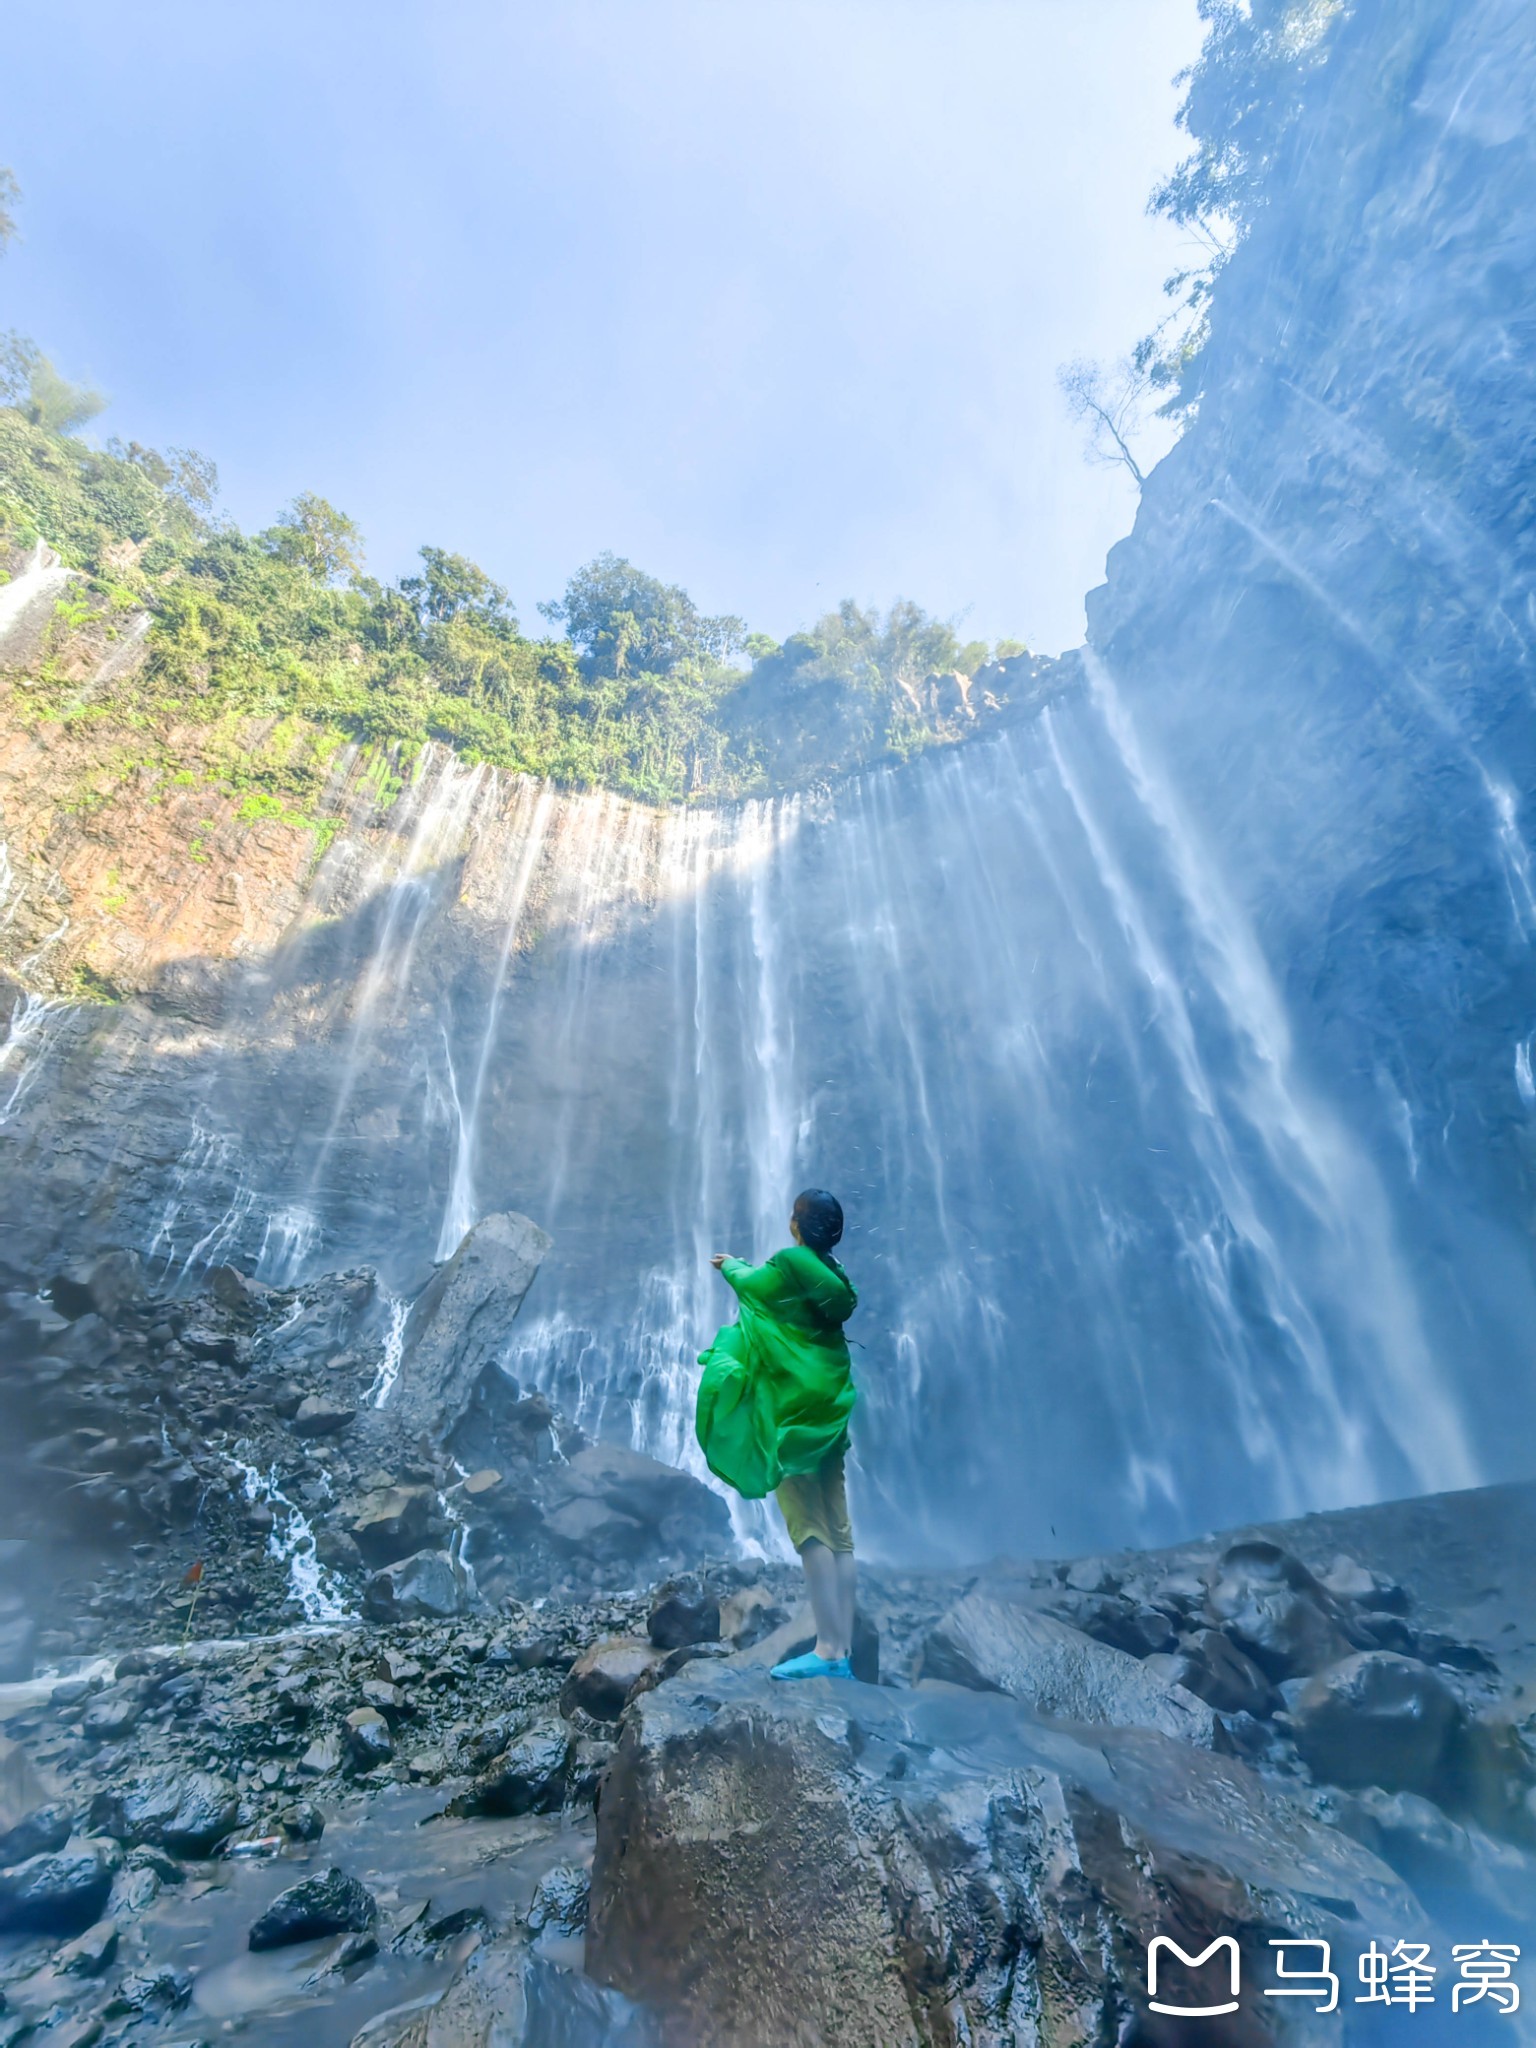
(1172, 1048)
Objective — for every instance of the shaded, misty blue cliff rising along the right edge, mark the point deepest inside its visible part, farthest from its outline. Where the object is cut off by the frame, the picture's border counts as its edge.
(1324, 624)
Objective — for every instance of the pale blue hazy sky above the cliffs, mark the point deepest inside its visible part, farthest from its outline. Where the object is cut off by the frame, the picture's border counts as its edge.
(767, 296)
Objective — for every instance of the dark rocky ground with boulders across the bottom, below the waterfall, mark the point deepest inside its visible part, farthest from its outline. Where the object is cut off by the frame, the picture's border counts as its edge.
(431, 1723)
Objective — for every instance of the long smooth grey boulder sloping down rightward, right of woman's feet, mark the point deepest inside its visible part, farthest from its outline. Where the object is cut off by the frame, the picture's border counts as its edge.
(998, 1646)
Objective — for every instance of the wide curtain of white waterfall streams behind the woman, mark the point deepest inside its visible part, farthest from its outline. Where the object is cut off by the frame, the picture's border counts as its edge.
(1125, 1261)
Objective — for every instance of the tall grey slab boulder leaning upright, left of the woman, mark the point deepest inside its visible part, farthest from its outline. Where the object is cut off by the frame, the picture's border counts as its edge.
(460, 1322)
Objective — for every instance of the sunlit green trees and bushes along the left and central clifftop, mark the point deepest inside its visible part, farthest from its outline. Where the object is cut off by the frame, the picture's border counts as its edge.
(271, 650)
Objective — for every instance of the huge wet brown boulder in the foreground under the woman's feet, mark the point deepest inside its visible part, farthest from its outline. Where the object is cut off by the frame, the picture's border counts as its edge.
(882, 1869)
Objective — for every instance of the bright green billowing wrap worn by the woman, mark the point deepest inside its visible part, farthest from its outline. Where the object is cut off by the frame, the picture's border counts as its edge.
(777, 1390)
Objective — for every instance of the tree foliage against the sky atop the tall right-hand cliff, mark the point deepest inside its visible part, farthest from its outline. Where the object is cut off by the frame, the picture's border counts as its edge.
(1242, 97)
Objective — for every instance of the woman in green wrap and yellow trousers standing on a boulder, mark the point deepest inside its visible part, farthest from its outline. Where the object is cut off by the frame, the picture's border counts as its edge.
(773, 1412)
